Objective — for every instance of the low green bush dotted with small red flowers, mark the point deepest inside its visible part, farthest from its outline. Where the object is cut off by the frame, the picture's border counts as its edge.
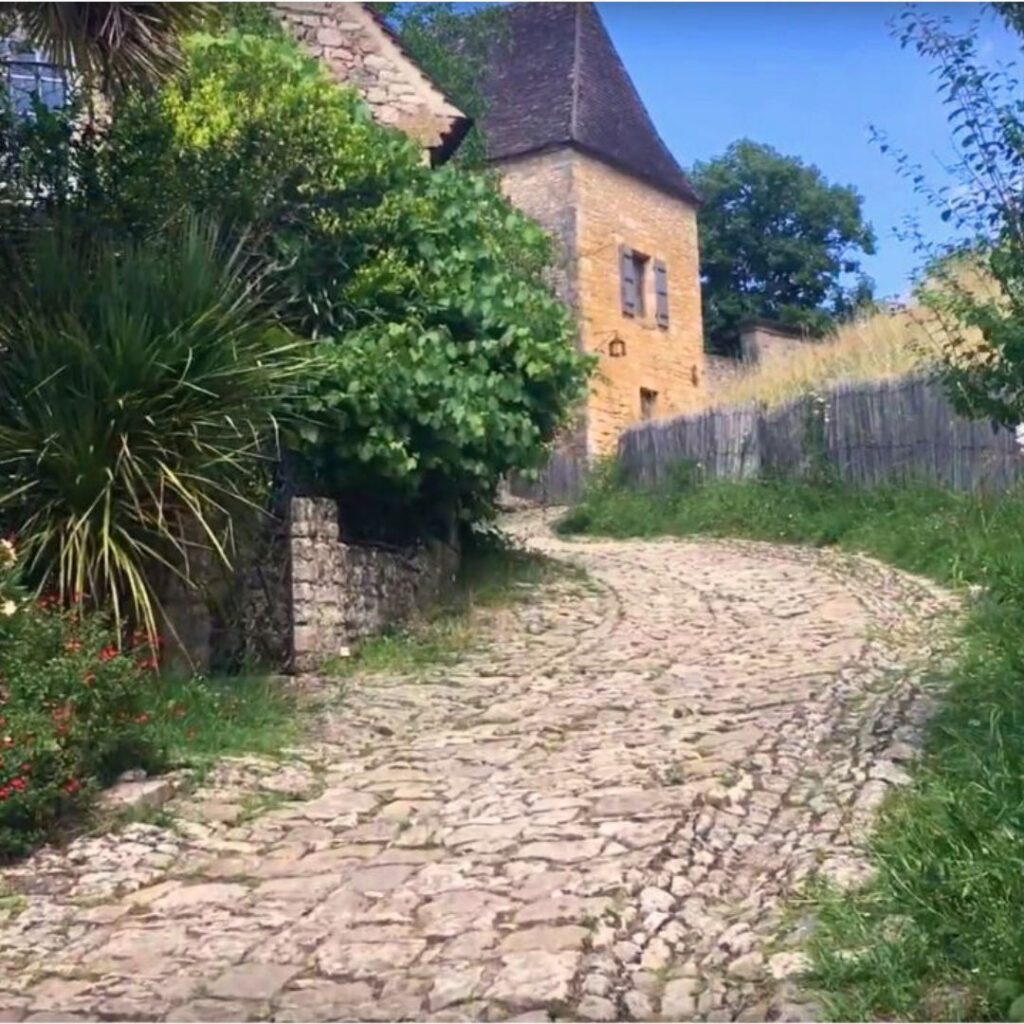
(71, 710)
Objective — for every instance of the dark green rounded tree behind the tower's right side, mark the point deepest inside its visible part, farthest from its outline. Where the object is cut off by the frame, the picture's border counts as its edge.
(778, 241)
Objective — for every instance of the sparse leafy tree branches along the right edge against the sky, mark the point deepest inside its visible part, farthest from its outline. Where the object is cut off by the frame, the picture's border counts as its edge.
(987, 120)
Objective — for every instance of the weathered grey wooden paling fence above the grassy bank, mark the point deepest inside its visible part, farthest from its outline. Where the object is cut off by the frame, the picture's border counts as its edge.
(866, 434)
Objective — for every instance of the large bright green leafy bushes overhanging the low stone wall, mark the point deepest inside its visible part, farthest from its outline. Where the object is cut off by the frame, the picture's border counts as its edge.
(446, 360)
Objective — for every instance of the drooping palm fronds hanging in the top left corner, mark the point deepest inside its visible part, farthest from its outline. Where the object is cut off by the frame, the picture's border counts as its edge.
(111, 46)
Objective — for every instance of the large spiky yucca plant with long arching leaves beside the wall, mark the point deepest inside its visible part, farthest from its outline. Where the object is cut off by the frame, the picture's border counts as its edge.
(139, 391)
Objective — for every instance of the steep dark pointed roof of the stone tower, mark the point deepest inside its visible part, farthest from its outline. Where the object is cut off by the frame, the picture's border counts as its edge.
(556, 79)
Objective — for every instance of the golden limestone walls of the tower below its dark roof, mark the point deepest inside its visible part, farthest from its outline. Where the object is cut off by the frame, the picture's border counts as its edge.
(591, 209)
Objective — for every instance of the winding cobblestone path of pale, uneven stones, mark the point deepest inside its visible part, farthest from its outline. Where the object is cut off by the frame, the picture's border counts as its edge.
(594, 817)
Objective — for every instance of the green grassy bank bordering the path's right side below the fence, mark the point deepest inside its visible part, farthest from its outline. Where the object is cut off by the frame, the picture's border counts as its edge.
(940, 934)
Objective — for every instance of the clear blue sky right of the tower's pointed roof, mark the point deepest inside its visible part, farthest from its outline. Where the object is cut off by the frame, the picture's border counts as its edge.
(808, 79)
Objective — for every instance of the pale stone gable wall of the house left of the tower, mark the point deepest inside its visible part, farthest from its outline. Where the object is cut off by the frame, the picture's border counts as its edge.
(360, 52)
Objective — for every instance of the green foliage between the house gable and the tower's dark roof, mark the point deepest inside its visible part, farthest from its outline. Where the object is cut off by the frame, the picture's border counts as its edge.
(453, 48)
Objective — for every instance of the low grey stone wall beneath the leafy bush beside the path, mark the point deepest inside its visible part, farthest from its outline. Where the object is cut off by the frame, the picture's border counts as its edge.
(340, 592)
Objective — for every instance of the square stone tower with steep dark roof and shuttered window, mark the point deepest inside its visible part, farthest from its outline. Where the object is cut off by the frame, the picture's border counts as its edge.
(579, 153)
